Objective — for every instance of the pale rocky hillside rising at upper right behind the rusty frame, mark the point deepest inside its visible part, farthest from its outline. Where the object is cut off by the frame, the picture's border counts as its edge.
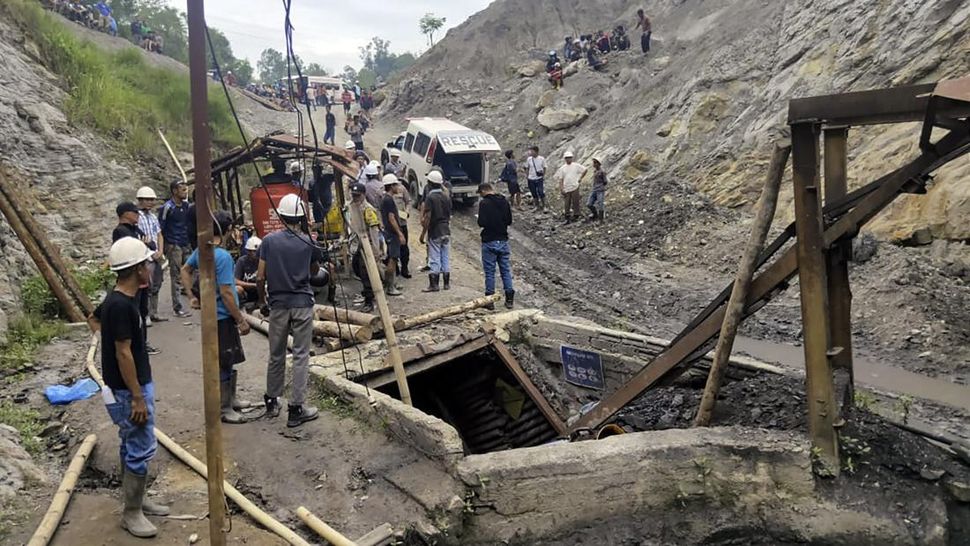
(704, 106)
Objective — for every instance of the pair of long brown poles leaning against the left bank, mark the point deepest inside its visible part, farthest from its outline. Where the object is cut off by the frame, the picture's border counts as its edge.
(45, 255)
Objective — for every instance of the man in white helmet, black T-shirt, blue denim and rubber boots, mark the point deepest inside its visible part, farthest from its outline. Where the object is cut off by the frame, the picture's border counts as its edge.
(129, 392)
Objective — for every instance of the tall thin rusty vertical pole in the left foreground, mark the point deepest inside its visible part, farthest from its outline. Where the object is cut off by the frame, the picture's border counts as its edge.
(198, 79)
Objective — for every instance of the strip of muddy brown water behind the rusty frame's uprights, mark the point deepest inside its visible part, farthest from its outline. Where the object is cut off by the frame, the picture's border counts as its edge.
(868, 371)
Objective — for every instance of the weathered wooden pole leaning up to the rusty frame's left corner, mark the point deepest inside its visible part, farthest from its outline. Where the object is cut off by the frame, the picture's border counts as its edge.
(742, 283)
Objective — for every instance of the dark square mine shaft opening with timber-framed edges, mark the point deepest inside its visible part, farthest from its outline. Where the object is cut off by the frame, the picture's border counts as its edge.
(479, 388)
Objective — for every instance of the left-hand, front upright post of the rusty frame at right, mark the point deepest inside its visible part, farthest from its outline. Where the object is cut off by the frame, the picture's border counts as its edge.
(814, 295)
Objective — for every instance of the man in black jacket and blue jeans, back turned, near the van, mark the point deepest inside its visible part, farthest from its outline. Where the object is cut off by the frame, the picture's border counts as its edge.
(495, 217)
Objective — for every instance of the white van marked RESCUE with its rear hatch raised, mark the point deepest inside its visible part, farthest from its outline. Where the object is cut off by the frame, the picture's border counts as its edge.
(459, 152)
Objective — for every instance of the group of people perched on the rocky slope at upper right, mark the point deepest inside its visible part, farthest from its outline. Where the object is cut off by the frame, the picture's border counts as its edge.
(594, 46)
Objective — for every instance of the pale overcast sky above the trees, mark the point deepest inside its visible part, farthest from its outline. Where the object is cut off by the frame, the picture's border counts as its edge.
(327, 31)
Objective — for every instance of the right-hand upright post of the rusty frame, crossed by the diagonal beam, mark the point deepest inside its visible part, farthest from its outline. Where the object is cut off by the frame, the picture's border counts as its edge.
(837, 270)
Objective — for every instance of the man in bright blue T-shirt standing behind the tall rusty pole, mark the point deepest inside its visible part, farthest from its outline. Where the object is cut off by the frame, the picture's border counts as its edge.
(231, 323)
